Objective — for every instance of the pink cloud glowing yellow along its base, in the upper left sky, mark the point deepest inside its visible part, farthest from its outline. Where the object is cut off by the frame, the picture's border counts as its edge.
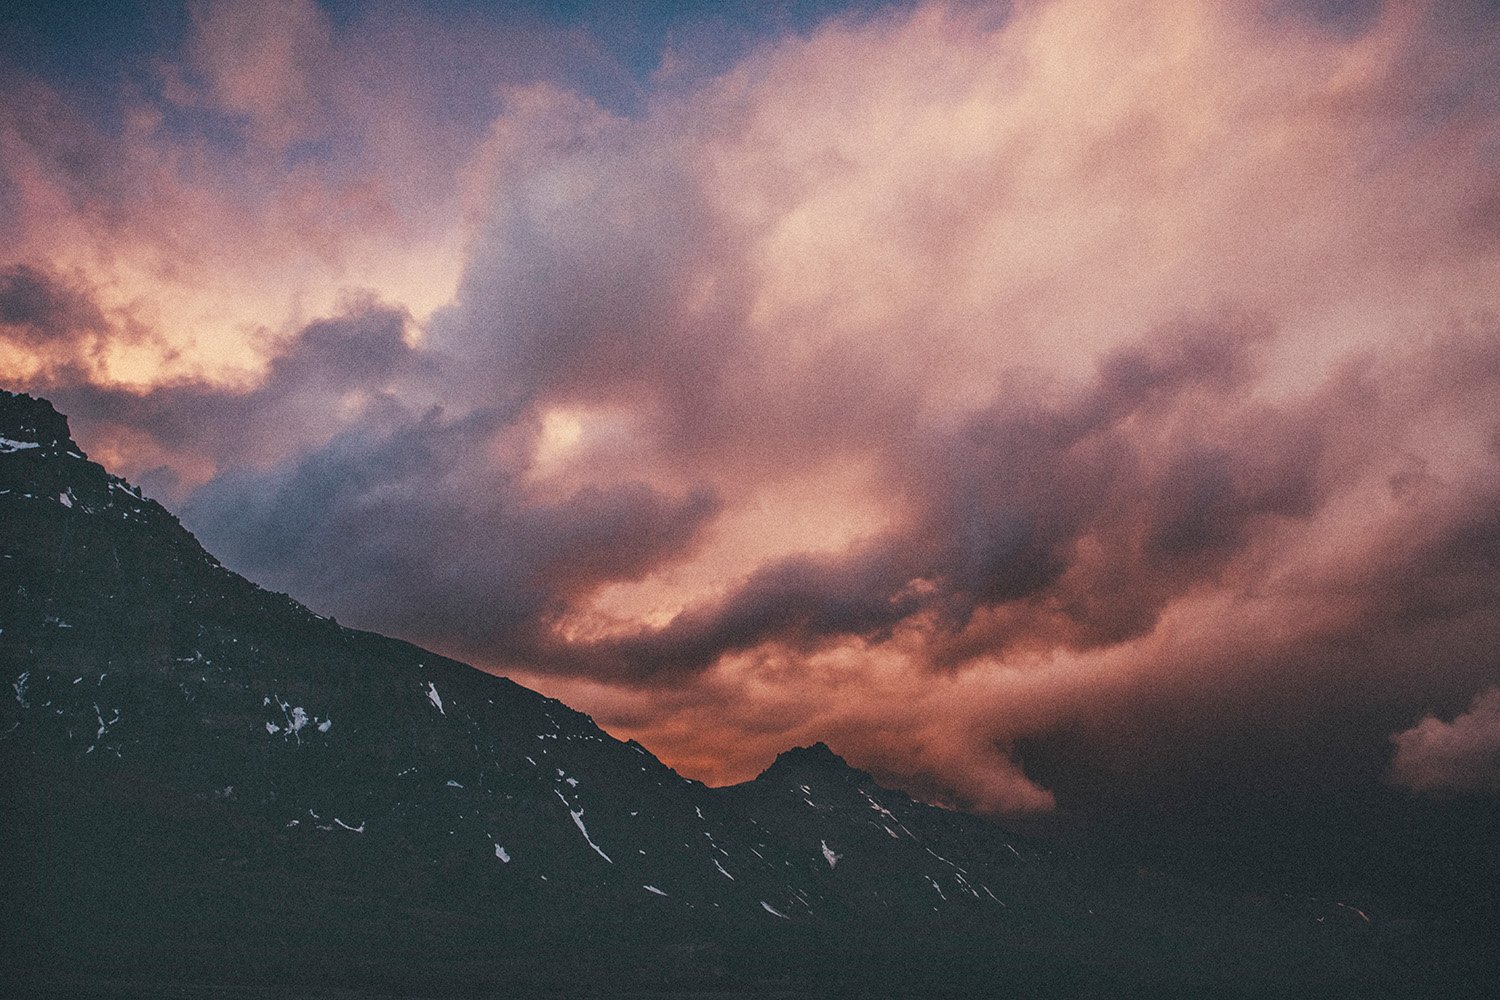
(260, 169)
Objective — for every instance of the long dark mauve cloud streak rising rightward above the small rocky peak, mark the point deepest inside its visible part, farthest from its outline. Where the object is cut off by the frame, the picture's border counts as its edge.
(1006, 501)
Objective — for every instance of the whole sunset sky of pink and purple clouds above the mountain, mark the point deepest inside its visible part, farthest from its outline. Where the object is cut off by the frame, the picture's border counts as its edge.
(1060, 407)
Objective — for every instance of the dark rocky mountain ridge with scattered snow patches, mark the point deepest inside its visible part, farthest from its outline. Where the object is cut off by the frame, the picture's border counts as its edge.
(211, 791)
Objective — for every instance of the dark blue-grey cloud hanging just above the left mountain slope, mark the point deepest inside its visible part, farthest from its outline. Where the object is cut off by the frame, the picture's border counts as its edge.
(436, 510)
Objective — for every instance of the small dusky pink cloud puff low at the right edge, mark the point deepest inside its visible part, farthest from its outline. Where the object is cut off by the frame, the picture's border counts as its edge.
(1460, 756)
